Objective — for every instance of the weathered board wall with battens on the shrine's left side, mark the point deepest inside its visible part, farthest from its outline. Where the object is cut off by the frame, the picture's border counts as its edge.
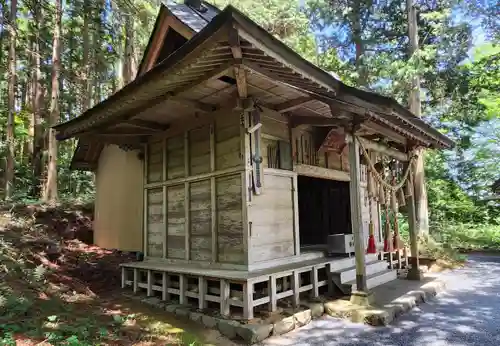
(199, 173)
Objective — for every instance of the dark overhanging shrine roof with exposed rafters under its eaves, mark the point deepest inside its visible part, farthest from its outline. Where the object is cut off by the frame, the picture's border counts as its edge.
(261, 53)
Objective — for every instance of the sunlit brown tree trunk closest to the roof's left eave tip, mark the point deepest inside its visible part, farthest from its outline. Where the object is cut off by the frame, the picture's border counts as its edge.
(50, 193)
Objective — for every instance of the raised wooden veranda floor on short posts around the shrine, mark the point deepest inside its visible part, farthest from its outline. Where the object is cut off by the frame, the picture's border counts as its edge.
(233, 288)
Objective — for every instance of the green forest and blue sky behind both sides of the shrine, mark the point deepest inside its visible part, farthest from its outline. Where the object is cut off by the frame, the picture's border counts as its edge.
(58, 58)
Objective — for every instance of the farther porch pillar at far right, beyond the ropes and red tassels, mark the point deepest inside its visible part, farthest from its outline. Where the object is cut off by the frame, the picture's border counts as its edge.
(414, 272)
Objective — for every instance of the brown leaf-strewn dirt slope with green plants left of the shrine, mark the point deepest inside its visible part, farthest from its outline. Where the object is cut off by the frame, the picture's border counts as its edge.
(58, 288)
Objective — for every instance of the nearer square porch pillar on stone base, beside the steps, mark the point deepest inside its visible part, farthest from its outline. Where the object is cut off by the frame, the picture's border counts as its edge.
(361, 296)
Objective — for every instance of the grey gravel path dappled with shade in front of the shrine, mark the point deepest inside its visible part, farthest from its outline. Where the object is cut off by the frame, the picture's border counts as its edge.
(468, 313)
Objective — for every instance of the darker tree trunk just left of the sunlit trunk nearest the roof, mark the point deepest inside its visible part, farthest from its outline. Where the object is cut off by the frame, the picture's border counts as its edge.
(36, 159)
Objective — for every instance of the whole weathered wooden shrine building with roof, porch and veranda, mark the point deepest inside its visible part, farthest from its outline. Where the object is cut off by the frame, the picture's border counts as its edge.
(232, 163)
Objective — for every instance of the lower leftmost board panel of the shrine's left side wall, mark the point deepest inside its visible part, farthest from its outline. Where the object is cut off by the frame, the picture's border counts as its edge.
(155, 222)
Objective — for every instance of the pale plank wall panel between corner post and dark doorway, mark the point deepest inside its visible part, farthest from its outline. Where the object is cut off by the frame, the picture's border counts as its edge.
(272, 217)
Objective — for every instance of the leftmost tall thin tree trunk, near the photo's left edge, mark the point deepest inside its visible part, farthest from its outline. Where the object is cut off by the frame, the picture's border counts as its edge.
(9, 169)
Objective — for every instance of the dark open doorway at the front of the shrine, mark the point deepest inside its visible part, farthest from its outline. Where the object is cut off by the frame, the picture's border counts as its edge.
(324, 209)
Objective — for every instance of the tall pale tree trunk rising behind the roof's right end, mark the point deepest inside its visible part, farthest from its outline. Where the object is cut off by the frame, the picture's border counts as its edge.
(422, 213)
